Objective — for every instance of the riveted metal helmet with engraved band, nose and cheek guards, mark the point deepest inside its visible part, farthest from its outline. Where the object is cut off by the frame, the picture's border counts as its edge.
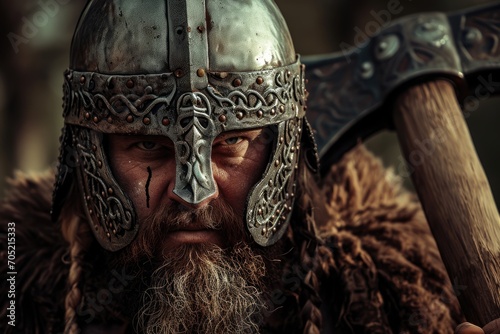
(188, 70)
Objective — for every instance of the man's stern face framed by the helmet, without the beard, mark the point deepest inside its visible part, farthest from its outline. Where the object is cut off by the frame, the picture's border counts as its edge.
(145, 167)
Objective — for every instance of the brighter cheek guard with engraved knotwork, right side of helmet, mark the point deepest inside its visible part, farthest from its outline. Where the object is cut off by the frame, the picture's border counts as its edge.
(274, 202)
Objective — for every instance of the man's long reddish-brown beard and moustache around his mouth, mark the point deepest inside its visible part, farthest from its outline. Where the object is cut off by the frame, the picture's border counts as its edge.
(200, 288)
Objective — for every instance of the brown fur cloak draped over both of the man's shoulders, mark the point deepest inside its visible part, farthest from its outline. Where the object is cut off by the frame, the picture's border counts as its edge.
(386, 268)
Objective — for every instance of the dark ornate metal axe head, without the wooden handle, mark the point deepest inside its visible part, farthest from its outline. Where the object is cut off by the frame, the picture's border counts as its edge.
(351, 92)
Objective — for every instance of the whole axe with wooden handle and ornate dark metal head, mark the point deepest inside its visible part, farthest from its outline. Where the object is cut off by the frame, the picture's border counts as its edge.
(414, 76)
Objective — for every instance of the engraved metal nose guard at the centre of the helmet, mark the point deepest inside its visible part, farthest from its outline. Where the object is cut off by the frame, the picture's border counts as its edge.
(196, 131)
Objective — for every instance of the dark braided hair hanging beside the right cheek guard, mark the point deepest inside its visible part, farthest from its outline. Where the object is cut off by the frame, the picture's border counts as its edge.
(305, 266)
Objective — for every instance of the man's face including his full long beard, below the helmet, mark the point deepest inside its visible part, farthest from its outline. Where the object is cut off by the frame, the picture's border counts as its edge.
(206, 277)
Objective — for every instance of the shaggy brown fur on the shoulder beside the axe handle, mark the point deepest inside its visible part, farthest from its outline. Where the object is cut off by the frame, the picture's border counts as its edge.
(381, 240)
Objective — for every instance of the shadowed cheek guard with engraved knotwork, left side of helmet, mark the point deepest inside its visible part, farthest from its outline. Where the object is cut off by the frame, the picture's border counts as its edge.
(106, 210)
